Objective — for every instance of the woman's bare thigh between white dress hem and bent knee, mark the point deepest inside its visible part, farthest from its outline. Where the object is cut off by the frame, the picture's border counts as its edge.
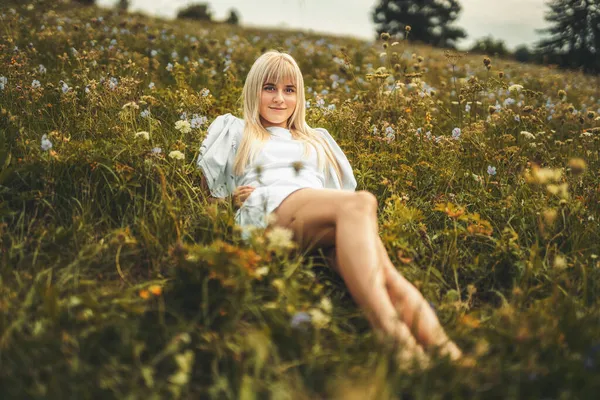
(311, 215)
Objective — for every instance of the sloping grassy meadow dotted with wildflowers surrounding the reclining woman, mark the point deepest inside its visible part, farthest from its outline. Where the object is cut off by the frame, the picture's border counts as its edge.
(121, 278)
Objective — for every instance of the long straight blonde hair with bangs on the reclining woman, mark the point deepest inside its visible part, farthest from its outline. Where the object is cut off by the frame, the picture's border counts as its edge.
(274, 66)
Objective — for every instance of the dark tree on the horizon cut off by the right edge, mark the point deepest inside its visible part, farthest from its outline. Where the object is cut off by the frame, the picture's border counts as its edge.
(574, 34)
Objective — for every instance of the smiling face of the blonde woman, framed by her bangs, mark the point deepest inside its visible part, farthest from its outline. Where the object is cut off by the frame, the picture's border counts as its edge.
(277, 103)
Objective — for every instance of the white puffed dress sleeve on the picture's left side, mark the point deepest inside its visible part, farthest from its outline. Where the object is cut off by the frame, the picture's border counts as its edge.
(217, 154)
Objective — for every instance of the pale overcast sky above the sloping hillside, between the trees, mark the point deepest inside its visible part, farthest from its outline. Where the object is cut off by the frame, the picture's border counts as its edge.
(513, 21)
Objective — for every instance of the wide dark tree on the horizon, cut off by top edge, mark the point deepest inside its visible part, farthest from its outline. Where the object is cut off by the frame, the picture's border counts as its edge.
(430, 20)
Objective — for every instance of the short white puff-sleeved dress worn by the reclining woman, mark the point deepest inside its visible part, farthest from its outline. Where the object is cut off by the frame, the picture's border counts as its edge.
(278, 177)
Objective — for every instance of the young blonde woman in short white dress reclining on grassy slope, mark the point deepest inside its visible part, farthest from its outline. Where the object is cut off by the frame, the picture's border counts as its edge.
(281, 172)
